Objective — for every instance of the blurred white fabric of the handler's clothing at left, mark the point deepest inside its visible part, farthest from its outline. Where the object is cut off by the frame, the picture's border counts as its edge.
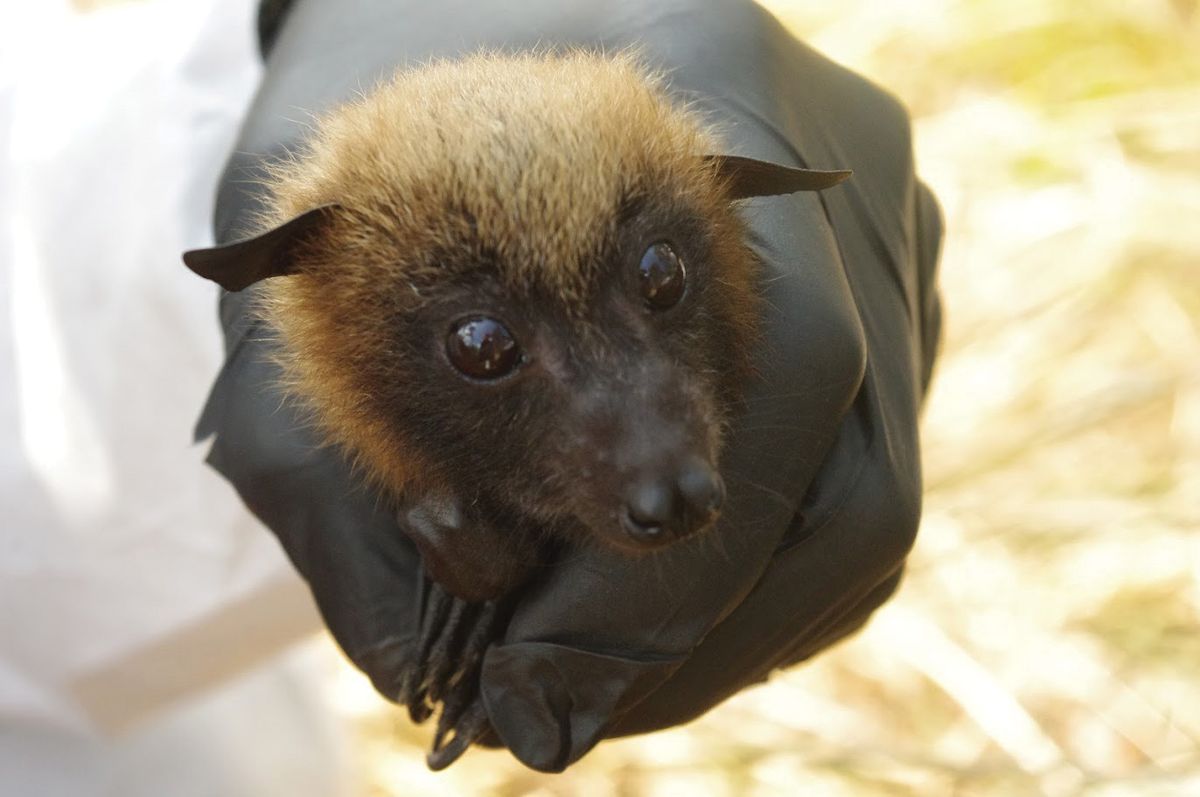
(130, 576)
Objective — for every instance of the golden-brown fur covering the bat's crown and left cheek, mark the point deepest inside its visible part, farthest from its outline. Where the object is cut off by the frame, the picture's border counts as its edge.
(523, 163)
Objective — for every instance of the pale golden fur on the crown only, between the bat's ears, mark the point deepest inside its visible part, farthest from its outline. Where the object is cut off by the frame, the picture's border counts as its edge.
(518, 143)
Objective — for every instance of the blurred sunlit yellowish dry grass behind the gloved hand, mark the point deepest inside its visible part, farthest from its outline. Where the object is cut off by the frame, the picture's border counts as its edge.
(1047, 639)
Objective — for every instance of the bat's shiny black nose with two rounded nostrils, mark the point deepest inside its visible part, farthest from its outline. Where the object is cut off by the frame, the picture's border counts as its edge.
(664, 507)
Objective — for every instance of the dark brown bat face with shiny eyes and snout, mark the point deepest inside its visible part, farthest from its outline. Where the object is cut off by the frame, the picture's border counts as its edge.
(603, 418)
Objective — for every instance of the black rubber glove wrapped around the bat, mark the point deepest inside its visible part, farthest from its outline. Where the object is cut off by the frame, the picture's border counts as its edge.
(823, 469)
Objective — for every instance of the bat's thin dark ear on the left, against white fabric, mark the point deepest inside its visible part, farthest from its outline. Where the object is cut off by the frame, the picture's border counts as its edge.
(271, 255)
